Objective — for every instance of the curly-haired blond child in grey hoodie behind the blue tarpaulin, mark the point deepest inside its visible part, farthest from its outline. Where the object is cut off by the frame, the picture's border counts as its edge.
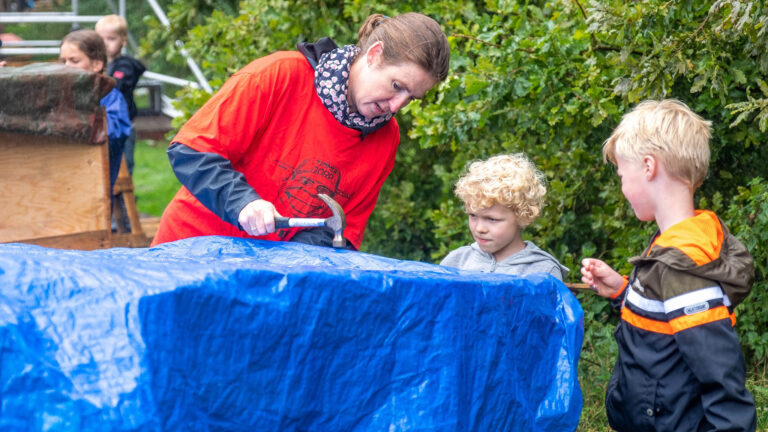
(503, 195)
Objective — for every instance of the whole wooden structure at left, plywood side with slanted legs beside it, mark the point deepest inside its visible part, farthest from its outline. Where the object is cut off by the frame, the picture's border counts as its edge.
(56, 194)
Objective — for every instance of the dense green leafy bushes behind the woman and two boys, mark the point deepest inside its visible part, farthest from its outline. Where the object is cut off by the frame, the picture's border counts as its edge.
(552, 79)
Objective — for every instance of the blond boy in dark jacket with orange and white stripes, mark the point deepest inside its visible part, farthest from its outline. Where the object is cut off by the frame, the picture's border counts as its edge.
(680, 366)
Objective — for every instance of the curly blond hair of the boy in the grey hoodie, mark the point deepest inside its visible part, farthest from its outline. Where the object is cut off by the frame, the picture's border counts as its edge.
(511, 180)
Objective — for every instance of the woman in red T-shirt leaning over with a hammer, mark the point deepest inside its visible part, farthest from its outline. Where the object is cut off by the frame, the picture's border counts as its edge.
(294, 124)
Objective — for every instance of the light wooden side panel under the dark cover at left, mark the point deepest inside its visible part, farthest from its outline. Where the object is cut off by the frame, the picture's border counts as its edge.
(51, 186)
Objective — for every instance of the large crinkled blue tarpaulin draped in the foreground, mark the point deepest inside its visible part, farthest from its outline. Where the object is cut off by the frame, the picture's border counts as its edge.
(223, 334)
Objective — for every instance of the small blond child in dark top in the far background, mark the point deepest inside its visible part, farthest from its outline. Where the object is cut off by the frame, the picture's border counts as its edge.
(124, 69)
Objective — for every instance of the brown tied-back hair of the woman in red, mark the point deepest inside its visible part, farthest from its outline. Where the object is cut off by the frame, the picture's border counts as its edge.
(410, 37)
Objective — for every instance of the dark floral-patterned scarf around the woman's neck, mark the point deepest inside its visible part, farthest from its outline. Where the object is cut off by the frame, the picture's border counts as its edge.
(331, 82)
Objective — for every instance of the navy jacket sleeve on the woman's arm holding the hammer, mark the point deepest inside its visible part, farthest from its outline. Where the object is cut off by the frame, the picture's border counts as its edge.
(212, 180)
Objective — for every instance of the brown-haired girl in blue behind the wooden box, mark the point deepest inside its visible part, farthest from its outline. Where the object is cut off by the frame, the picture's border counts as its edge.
(84, 49)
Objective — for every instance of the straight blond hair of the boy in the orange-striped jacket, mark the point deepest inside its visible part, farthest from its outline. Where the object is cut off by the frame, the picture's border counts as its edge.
(668, 130)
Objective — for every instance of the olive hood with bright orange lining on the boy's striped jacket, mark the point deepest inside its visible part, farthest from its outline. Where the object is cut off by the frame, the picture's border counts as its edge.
(702, 246)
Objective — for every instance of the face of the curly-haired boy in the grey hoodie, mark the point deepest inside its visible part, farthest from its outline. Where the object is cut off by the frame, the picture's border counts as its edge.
(496, 231)
